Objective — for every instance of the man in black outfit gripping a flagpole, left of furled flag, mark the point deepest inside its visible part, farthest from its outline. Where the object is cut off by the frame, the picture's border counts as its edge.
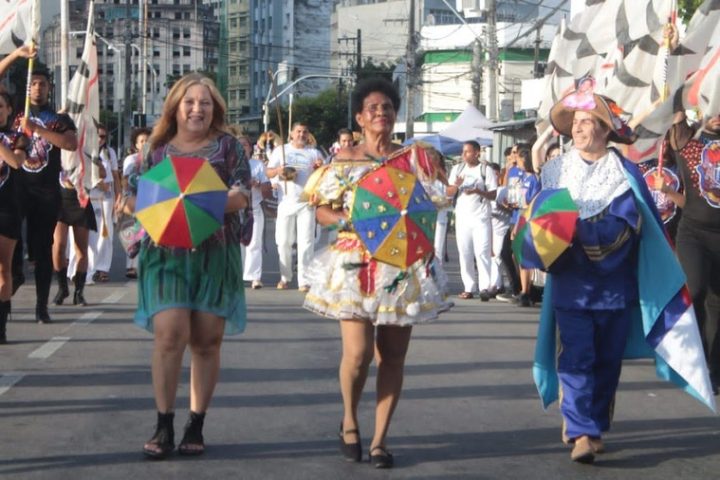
(39, 180)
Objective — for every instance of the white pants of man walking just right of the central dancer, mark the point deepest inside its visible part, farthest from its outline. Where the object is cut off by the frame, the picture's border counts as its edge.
(473, 238)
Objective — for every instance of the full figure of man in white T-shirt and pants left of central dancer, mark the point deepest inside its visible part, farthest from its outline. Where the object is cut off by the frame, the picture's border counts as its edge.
(289, 168)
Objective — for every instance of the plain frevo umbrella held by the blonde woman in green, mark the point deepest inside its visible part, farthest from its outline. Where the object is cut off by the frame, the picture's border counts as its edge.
(181, 201)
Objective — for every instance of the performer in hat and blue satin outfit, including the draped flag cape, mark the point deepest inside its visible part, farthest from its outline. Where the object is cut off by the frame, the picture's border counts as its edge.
(617, 290)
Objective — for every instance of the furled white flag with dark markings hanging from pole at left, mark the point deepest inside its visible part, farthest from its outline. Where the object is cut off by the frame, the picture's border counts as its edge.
(83, 105)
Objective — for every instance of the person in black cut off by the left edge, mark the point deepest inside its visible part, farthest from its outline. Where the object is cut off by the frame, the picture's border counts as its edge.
(12, 154)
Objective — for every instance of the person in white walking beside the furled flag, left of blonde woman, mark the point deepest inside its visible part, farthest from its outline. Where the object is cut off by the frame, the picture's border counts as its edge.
(104, 197)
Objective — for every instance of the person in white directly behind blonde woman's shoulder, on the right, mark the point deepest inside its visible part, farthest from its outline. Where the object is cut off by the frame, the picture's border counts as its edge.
(252, 254)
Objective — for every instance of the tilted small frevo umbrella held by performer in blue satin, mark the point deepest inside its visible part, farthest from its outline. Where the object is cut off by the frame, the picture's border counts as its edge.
(545, 229)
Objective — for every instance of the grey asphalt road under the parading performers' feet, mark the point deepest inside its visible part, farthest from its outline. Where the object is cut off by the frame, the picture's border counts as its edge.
(76, 400)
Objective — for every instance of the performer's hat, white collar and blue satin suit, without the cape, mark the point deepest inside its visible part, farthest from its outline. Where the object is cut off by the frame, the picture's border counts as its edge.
(594, 282)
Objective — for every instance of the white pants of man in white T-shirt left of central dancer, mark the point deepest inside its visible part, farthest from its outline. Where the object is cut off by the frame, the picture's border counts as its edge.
(297, 227)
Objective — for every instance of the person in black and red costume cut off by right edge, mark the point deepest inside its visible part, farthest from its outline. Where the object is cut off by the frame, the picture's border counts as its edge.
(698, 235)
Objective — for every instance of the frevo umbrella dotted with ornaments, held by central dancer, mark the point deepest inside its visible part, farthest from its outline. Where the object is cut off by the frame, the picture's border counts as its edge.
(393, 216)
